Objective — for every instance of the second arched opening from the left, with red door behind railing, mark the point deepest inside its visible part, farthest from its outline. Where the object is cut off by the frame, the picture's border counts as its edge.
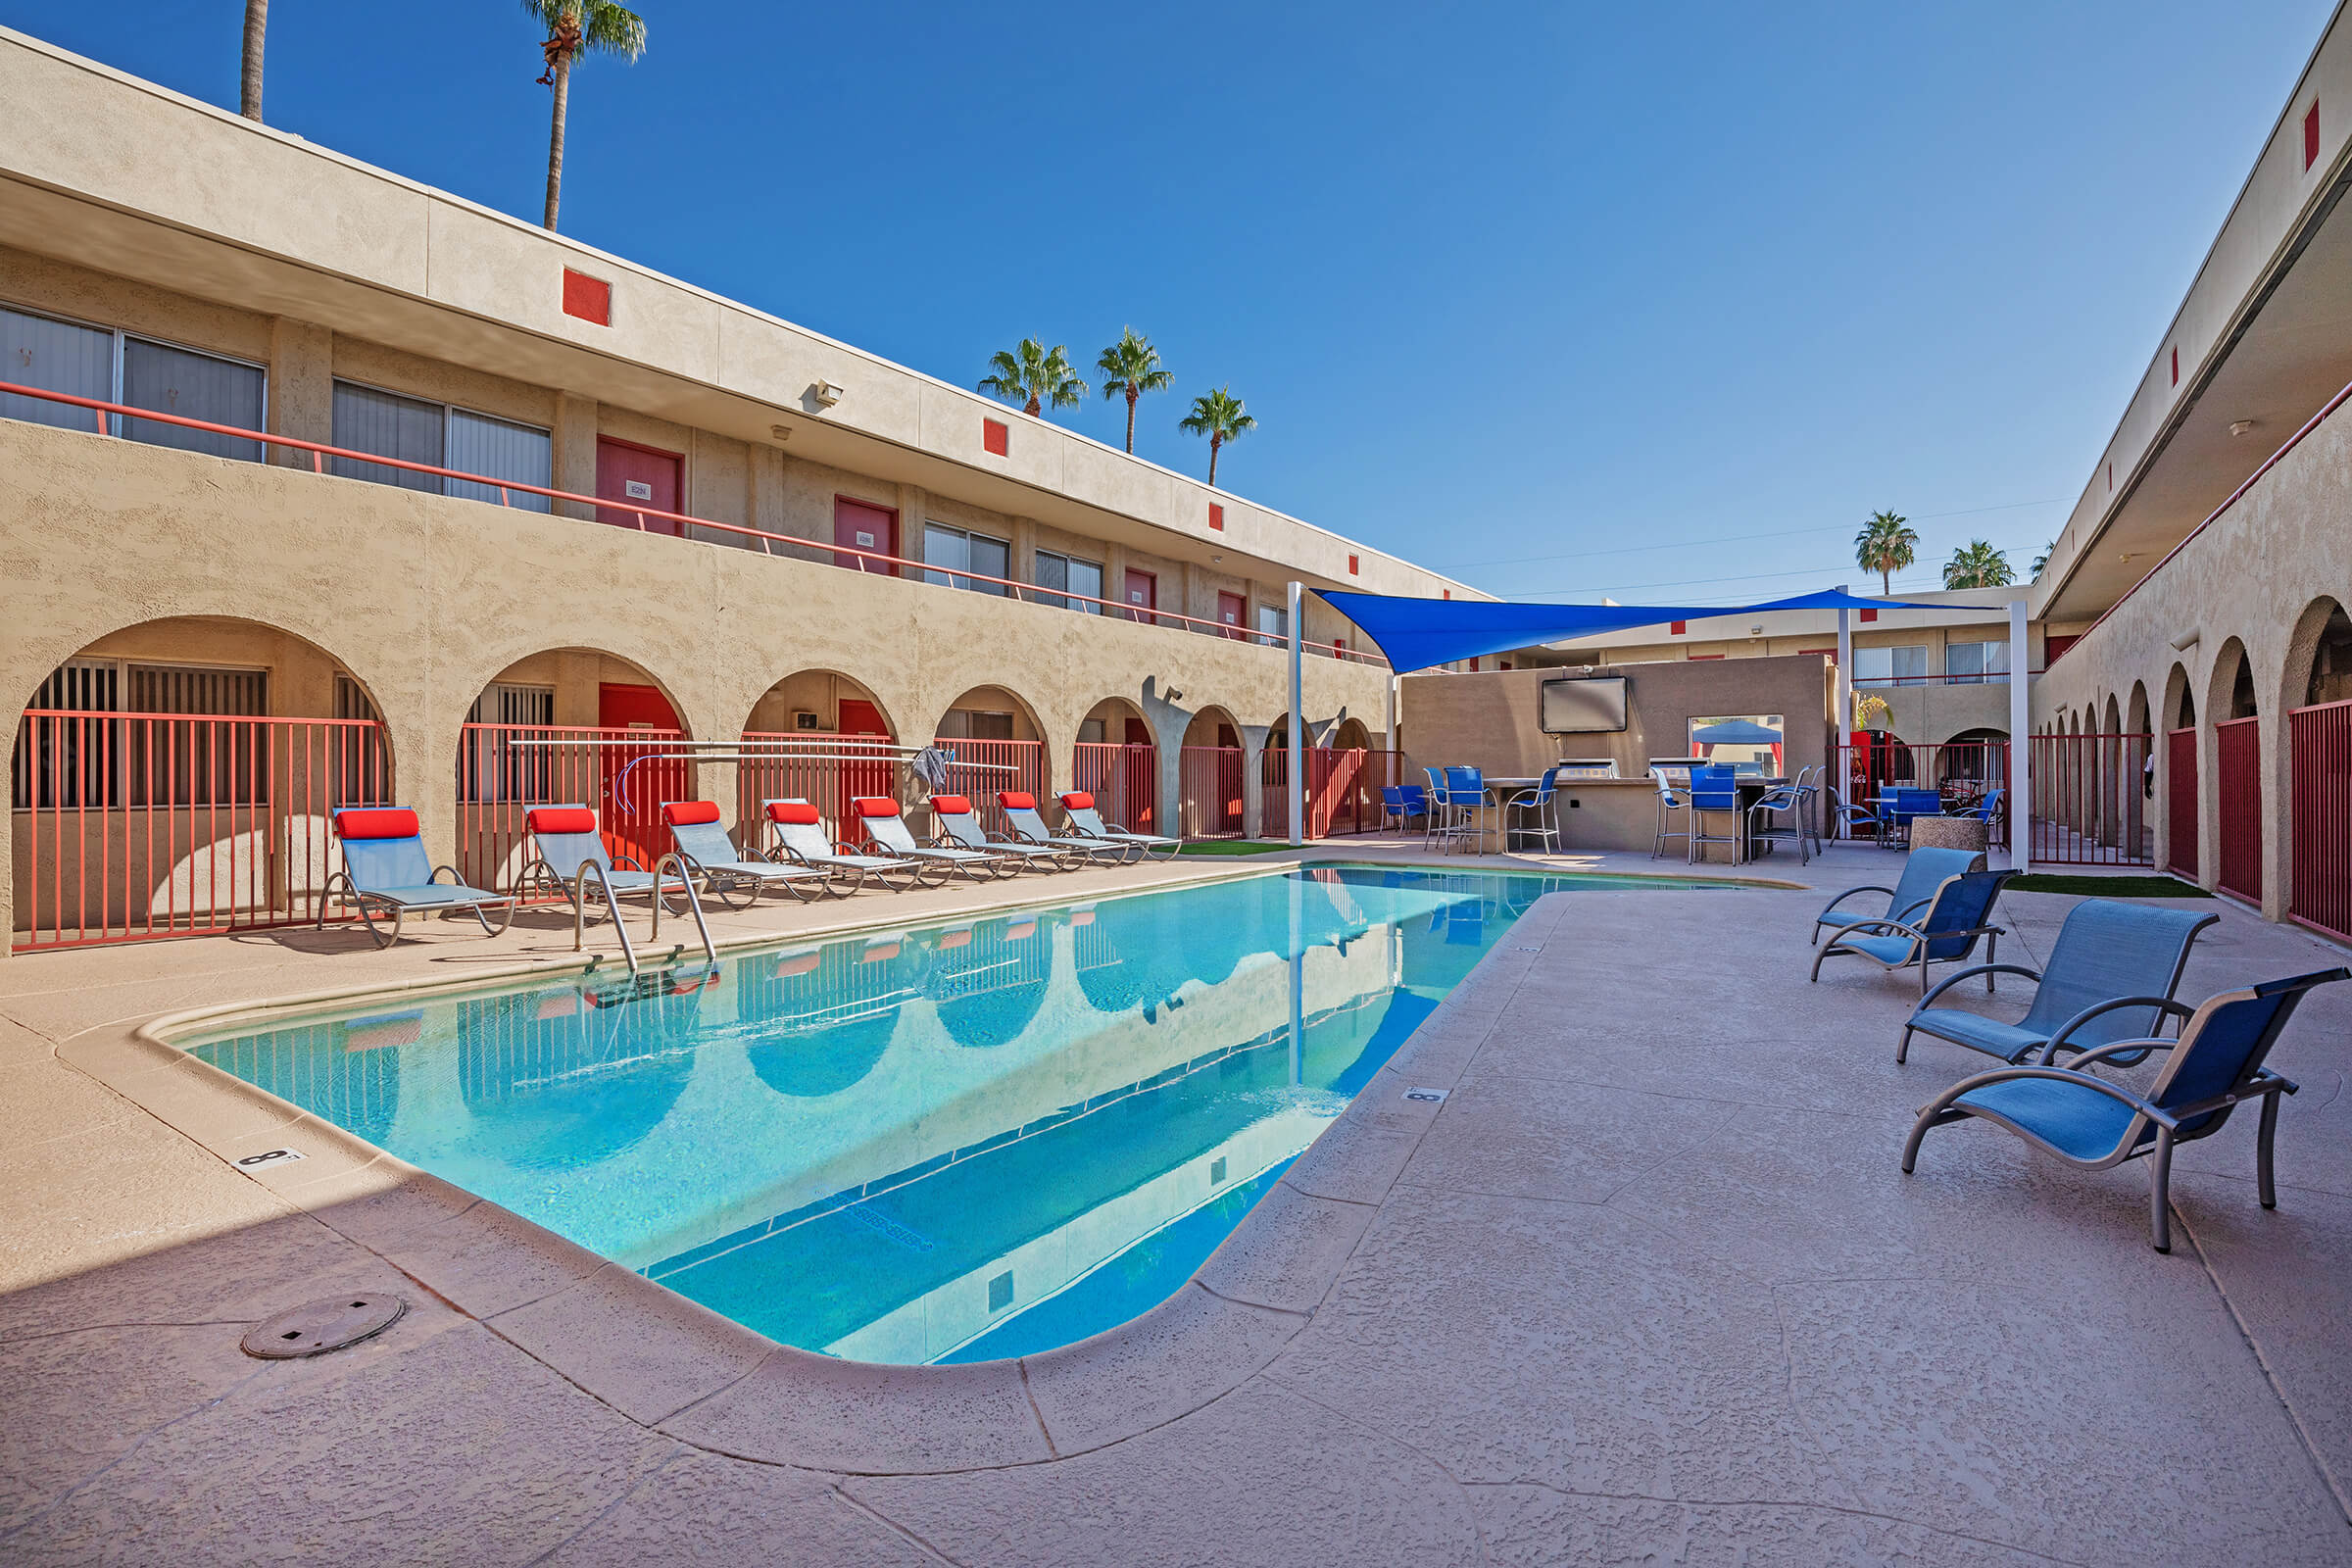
(568, 728)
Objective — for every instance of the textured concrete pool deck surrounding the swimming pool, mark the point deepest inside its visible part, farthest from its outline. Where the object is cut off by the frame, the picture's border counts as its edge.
(1648, 1287)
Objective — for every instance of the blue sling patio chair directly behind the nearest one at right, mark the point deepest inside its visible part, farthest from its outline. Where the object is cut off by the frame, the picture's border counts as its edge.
(2111, 977)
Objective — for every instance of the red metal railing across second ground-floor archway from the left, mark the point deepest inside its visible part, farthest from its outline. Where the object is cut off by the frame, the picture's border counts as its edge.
(505, 770)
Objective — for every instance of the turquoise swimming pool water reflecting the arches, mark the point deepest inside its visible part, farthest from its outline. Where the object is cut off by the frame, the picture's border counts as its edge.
(921, 1146)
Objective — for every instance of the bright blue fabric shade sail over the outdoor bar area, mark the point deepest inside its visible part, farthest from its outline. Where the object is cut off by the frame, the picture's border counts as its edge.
(1424, 634)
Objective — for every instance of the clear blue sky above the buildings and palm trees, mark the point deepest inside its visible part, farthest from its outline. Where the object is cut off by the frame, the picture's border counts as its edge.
(1570, 300)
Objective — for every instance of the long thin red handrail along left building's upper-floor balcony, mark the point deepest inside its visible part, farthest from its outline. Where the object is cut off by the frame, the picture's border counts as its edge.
(770, 544)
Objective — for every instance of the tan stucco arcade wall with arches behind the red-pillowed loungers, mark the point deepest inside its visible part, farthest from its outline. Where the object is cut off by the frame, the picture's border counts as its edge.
(427, 601)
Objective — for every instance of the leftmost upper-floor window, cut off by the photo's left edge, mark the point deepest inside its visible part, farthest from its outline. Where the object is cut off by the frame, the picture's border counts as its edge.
(109, 366)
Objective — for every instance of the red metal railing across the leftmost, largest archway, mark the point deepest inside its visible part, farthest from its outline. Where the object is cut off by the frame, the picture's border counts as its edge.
(138, 826)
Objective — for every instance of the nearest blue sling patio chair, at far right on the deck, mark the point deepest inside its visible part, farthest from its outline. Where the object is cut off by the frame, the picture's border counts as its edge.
(2094, 1125)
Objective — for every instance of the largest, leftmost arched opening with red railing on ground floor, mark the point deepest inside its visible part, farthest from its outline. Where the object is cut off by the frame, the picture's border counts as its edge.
(182, 777)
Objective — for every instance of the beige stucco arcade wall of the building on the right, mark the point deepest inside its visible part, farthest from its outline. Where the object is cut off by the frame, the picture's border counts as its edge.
(2250, 575)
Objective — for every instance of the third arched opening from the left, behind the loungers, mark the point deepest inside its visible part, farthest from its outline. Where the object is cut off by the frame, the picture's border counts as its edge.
(820, 737)
